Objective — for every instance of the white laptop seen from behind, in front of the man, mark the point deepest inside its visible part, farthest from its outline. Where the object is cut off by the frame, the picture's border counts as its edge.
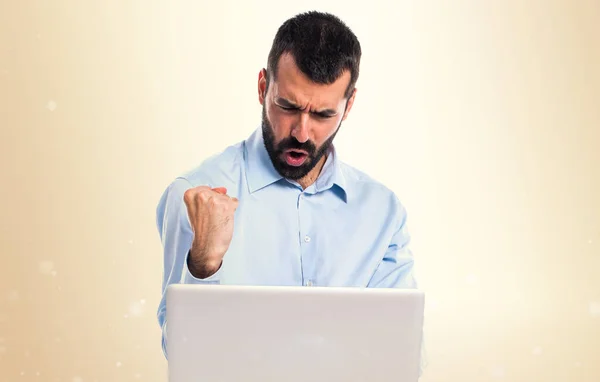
(293, 334)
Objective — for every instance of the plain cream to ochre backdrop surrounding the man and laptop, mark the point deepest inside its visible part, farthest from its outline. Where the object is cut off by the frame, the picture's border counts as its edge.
(484, 117)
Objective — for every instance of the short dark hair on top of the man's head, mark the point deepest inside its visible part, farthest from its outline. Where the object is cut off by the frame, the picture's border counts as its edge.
(322, 46)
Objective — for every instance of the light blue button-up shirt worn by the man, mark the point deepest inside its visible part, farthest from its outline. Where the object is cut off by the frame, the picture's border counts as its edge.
(346, 229)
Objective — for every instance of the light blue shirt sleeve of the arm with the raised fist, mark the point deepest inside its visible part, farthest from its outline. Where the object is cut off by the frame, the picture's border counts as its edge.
(176, 237)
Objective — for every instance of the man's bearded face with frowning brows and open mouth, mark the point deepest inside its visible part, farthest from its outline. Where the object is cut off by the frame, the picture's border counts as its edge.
(300, 118)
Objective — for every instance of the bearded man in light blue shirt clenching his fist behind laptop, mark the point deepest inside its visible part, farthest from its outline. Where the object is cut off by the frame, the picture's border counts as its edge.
(280, 208)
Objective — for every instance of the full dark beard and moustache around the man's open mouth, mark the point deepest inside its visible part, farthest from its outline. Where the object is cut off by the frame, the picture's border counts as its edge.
(276, 151)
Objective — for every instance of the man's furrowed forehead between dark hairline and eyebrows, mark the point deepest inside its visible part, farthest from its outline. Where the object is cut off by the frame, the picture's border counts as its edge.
(295, 86)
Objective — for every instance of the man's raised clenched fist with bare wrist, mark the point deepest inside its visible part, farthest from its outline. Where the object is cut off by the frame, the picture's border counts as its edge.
(210, 211)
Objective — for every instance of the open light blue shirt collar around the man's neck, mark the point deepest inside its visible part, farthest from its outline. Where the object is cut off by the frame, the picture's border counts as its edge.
(261, 172)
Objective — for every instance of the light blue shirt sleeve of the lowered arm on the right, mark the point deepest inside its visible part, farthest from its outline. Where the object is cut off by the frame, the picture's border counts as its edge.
(397, 267)
